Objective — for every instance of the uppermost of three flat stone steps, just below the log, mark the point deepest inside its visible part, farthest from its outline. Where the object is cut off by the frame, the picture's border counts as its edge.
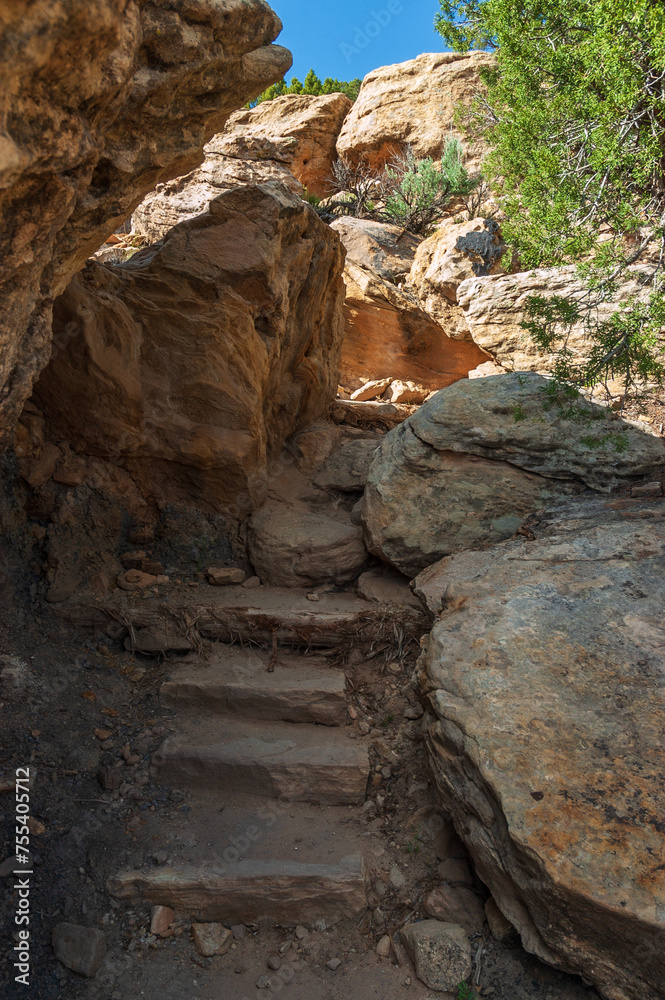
(236, 681)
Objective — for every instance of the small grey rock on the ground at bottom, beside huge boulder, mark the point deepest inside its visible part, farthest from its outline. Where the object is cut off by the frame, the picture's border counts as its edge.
(440, 952)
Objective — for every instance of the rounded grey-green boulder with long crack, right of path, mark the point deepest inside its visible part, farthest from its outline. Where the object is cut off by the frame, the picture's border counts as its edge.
(466, 468)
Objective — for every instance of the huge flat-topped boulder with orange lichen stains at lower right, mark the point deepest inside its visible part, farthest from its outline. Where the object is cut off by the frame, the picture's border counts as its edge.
(544, 678)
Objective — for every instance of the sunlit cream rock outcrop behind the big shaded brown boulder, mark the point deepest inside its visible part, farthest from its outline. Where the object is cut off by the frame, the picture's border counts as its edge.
(290, 139)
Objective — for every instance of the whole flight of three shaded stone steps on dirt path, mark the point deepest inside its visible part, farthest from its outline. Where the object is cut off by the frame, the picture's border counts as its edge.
(262, 751)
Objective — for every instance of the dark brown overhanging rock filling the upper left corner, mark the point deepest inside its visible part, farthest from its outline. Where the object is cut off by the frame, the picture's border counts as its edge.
(102, 100)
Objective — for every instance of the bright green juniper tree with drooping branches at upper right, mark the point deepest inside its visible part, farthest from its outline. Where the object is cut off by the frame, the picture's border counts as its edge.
(574, 115)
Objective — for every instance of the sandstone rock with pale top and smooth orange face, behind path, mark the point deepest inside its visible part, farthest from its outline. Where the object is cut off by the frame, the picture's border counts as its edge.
(388, 336)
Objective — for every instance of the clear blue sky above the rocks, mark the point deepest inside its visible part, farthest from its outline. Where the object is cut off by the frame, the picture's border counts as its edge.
(349, 38)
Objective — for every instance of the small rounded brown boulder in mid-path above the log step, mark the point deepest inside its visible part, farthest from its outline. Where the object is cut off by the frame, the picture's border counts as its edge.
(291, 546)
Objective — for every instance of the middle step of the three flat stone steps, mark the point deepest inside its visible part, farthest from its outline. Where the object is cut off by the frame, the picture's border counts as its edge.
(298, 763)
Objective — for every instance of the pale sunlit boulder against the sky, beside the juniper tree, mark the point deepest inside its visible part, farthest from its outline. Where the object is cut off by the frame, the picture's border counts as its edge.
(412, 103)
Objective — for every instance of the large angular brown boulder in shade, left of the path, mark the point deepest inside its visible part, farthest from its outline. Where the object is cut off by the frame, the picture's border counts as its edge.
(192, 363)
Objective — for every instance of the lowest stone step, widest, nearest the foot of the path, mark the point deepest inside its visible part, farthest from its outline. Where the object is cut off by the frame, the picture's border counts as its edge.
(283, 892)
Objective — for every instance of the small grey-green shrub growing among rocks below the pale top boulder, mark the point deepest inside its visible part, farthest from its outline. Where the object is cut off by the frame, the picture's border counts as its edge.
(421, 190)
